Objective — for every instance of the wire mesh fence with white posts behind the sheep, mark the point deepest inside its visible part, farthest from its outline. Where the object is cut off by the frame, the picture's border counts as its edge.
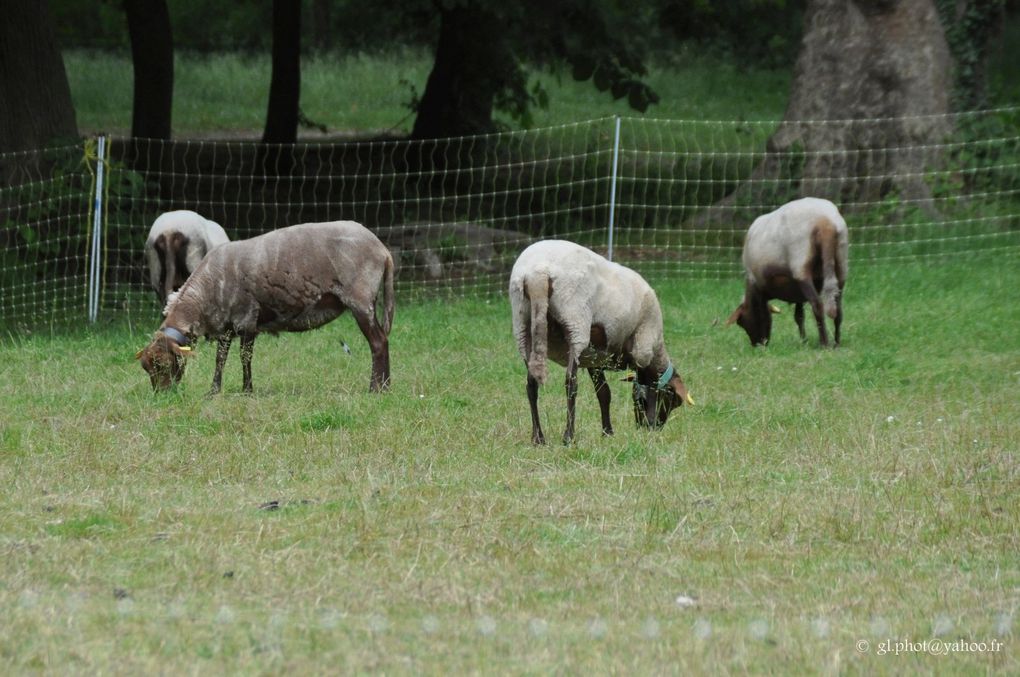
(674, 197)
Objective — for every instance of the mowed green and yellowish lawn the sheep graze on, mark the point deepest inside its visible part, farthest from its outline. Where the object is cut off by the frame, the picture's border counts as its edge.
(811, 501)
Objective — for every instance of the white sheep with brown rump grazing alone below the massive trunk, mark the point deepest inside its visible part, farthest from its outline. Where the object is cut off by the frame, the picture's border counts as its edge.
(798, 254)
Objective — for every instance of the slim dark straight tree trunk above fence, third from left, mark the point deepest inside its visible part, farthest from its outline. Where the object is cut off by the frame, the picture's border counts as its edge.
(285, 88)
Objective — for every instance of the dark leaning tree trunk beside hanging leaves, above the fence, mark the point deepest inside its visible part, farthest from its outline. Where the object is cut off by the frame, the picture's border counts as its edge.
(472, 67)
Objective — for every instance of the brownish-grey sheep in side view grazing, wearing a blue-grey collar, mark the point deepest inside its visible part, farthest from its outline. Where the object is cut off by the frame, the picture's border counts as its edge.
(291, 280)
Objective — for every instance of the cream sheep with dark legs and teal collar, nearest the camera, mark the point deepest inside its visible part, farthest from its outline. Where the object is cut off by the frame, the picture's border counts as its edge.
(574, 306)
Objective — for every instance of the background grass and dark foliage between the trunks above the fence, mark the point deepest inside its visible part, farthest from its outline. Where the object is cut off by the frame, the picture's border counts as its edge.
(724, 61)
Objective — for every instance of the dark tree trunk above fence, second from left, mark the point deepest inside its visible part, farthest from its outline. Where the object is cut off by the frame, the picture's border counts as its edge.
(152, 56)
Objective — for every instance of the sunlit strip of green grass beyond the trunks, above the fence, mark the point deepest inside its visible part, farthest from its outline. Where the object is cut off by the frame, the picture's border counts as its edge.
(227, 94)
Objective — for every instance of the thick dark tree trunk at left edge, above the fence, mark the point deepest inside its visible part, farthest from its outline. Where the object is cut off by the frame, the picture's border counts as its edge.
(36, 109)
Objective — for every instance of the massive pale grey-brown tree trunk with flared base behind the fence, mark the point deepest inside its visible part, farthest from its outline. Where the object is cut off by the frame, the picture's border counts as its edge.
(880, 72)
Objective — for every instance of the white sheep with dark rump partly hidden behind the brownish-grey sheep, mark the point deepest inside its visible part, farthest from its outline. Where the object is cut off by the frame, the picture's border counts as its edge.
(177, 244)
